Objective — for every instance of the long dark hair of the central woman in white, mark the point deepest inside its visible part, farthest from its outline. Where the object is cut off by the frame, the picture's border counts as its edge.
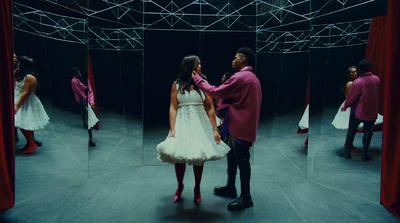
(185, 80)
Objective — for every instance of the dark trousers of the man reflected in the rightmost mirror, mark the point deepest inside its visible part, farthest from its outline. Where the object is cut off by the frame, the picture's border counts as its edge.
(351, 132)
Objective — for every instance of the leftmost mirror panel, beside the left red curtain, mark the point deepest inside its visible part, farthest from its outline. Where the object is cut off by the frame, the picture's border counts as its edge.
(62, 159)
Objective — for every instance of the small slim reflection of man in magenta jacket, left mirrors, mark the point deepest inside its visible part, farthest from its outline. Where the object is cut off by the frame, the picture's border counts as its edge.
(80, 92)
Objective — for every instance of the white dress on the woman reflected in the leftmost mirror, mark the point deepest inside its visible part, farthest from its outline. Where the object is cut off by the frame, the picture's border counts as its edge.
(31, 115)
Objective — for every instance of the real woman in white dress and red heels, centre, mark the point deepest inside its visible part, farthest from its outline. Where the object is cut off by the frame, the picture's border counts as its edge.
(193, 137)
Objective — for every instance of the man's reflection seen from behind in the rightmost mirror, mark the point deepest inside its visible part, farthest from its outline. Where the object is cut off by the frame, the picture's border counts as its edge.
(363, 98)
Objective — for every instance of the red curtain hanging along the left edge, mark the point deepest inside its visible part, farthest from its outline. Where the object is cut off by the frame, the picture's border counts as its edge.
(7, 152)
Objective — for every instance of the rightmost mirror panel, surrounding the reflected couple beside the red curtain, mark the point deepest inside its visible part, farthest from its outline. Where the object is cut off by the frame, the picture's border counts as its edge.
(339, 40)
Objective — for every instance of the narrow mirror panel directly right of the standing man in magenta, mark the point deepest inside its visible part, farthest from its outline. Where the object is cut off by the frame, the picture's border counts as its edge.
(283, 61)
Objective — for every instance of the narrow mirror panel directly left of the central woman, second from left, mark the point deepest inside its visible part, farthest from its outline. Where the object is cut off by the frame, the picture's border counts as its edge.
(116, 52)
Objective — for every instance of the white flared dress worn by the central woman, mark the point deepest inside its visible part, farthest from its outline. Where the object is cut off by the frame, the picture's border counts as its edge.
(194, 137)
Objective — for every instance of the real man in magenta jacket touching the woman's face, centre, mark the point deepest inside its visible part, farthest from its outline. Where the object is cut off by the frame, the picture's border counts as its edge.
(242, 103)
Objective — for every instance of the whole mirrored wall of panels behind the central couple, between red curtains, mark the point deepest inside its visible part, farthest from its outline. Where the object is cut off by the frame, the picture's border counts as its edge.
(130, 55)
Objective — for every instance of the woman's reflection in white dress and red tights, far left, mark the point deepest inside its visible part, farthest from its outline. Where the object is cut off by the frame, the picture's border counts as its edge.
(29, 112)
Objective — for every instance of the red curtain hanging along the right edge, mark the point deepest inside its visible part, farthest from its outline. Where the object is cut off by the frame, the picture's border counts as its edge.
(390, 182)
